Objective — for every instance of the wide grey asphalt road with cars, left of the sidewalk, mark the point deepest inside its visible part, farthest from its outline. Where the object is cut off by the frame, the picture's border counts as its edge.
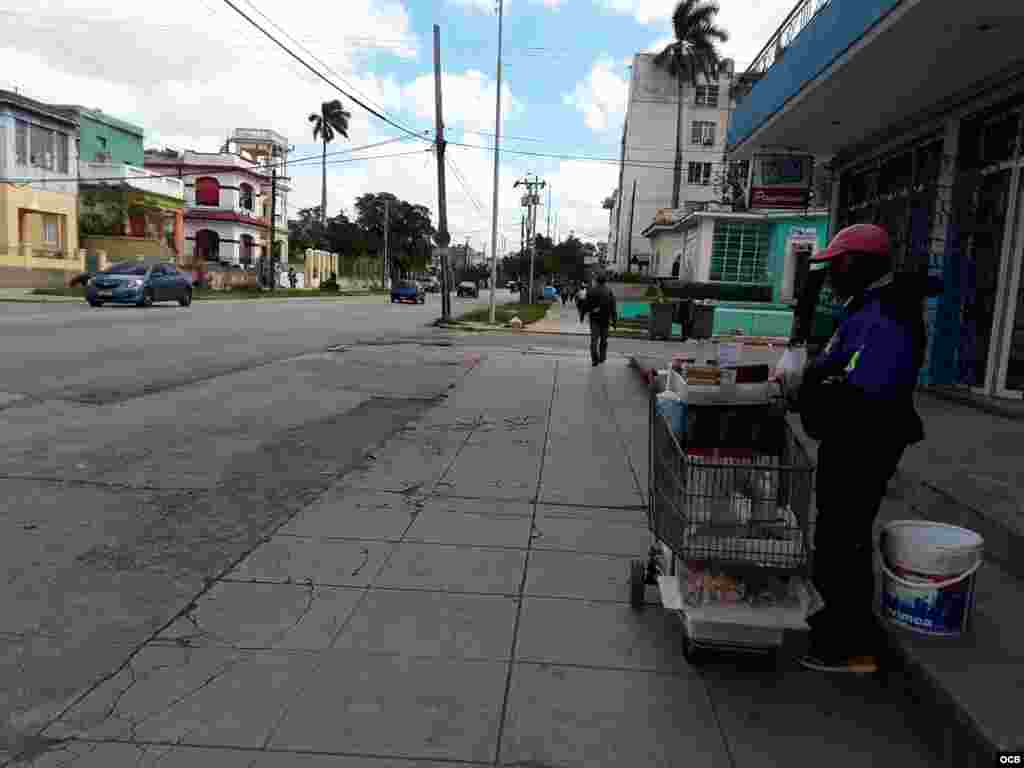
(145, 452)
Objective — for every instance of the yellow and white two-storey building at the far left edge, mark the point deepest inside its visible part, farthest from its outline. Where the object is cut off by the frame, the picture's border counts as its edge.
(39, 195)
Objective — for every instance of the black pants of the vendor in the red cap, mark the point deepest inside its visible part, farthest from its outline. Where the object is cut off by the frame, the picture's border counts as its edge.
(851, 484)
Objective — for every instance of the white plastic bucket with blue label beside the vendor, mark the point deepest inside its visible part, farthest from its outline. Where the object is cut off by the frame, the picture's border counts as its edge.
(915, 594)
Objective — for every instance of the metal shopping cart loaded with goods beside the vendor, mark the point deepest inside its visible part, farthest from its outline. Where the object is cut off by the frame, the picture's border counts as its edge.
(734, 495)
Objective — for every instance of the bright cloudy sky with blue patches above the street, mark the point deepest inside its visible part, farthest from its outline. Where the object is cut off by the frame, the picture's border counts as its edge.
(192, 71)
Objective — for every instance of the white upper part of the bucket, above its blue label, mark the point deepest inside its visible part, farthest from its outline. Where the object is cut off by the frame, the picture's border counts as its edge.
(931, 548)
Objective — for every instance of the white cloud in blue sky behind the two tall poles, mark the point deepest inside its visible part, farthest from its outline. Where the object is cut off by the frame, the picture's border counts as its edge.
(468, 100)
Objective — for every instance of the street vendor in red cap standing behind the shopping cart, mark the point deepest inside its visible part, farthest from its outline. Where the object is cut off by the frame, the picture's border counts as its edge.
(857, 399)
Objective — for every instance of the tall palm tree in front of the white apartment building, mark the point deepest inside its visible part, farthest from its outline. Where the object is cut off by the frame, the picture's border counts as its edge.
(695, 53)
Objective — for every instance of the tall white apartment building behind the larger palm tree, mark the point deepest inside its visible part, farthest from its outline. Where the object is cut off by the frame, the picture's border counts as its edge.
(648, 155)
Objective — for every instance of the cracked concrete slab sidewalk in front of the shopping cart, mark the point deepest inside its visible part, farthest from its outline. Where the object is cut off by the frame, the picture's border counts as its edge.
(462, 600)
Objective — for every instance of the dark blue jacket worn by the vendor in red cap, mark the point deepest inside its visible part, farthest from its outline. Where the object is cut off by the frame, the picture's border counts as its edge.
(861, 389)
